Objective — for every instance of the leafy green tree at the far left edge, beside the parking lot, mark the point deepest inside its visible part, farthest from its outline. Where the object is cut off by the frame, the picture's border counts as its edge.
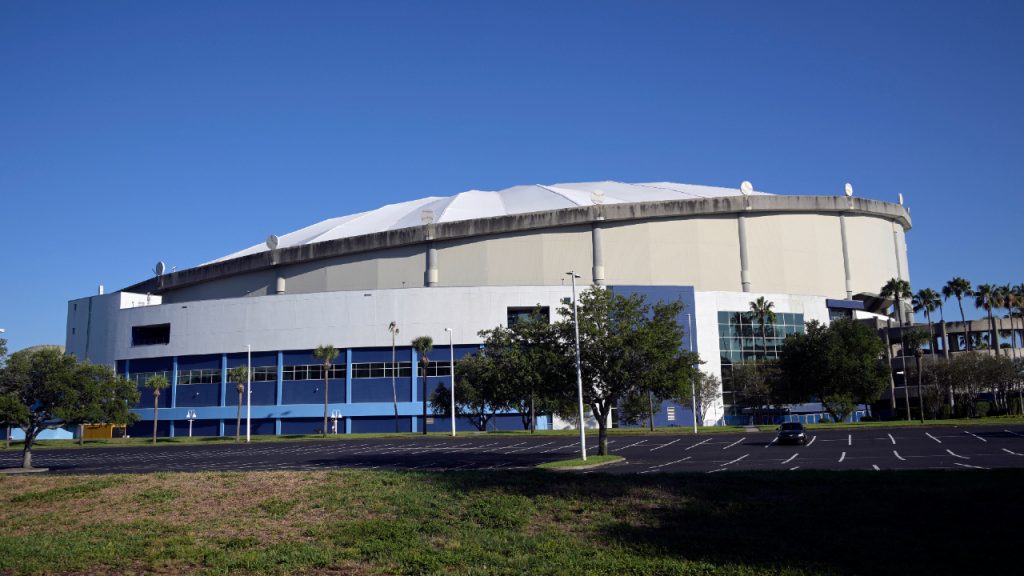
(42, 388)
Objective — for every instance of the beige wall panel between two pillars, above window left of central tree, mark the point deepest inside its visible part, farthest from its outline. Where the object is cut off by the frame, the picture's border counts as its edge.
(528, 259)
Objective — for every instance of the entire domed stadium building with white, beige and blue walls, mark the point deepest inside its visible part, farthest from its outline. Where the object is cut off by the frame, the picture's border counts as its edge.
(470, 263)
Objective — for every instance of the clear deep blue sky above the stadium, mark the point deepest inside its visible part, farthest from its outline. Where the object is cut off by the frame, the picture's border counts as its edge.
(133, 133)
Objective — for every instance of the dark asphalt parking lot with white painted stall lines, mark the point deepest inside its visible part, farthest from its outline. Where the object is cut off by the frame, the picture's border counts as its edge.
(868, 449)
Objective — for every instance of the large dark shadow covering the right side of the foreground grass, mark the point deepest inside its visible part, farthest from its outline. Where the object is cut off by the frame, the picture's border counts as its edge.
(821, 522)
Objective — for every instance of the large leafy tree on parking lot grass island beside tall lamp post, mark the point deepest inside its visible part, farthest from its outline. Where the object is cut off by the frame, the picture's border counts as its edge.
(626, 347)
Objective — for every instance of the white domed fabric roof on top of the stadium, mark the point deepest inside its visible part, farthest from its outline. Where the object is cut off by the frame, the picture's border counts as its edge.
(476, 204)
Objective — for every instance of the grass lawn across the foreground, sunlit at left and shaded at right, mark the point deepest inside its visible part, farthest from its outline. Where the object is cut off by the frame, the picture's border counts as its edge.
(366, 522)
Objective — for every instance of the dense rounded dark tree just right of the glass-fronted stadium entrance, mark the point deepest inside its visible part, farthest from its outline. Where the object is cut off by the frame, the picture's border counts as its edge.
(841, 365)
